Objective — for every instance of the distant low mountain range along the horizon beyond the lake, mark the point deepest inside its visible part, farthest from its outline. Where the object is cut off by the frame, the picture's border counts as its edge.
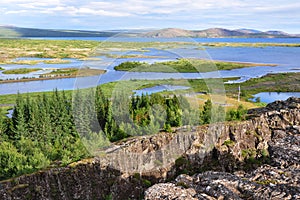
(12, 31)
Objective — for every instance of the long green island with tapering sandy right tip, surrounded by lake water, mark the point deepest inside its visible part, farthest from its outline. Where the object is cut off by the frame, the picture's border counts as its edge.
(184, 66)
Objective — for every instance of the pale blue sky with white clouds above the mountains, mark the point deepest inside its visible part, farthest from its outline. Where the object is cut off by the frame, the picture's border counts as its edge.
(263, 15)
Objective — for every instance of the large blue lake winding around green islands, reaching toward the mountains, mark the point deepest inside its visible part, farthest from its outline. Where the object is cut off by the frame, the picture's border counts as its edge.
(287, 58)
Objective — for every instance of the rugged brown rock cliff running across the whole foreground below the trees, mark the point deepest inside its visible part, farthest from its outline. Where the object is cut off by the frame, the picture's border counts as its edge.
(254, 159)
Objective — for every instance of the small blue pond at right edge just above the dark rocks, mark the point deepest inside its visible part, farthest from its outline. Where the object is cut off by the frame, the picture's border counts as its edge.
(268, 97)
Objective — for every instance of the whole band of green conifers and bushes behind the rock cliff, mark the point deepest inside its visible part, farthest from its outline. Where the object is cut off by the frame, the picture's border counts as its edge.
(57, 129)
